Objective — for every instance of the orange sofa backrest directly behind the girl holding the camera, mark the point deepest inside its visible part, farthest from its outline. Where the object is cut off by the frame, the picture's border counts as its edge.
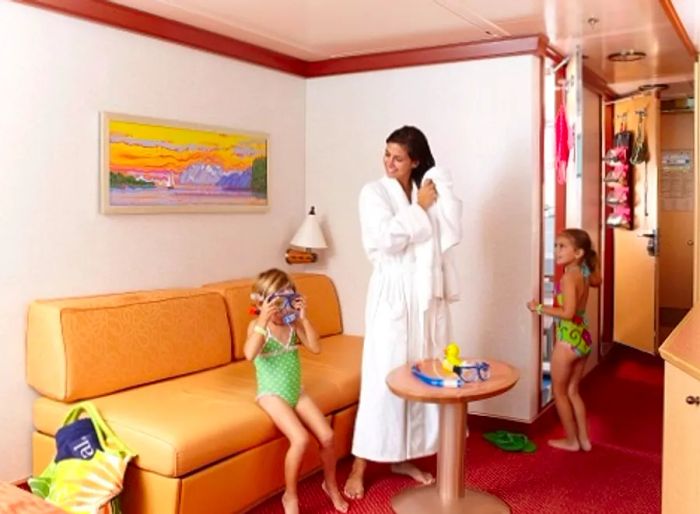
(322, 305)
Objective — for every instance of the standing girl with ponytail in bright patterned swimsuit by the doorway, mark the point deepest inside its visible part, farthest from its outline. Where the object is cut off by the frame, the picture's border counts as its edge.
(574, 251)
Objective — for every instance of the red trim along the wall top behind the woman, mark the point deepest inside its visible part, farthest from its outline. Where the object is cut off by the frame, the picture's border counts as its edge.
(438, 54)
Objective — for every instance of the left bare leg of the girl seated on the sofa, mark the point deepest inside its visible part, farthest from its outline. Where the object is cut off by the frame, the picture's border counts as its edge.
(286, 419)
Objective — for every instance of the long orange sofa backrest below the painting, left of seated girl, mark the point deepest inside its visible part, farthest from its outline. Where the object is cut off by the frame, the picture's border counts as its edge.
(85, 347)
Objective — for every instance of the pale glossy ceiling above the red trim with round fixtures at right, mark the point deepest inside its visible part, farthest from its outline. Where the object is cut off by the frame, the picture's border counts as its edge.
(324, 29)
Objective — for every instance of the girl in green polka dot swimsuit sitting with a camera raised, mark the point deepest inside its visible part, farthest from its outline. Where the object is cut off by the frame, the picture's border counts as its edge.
(273, 346)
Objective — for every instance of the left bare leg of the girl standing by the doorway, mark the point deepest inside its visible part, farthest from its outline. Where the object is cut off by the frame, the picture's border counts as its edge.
(563, 359)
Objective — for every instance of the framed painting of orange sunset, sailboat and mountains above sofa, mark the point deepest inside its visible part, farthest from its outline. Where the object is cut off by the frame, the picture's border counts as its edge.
(151, 165)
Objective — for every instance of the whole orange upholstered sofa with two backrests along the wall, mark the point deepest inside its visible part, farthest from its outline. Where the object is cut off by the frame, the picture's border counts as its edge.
(166, 370)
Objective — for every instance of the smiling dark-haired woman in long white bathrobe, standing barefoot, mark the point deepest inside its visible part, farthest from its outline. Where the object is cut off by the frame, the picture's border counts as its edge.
(393, 218)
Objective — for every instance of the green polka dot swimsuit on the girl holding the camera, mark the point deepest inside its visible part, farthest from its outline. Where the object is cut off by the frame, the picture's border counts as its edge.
(278, 369)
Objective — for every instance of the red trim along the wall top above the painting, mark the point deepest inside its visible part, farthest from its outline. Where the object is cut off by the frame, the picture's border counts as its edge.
(143, 23)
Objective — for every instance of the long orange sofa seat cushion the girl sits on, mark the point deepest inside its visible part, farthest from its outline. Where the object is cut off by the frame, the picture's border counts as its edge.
(186, 423)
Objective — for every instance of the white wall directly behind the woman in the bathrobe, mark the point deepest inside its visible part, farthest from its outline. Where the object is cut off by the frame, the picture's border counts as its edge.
(482, 119)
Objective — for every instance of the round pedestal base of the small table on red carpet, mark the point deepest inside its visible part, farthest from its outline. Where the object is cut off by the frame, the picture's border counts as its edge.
(425, 500)
